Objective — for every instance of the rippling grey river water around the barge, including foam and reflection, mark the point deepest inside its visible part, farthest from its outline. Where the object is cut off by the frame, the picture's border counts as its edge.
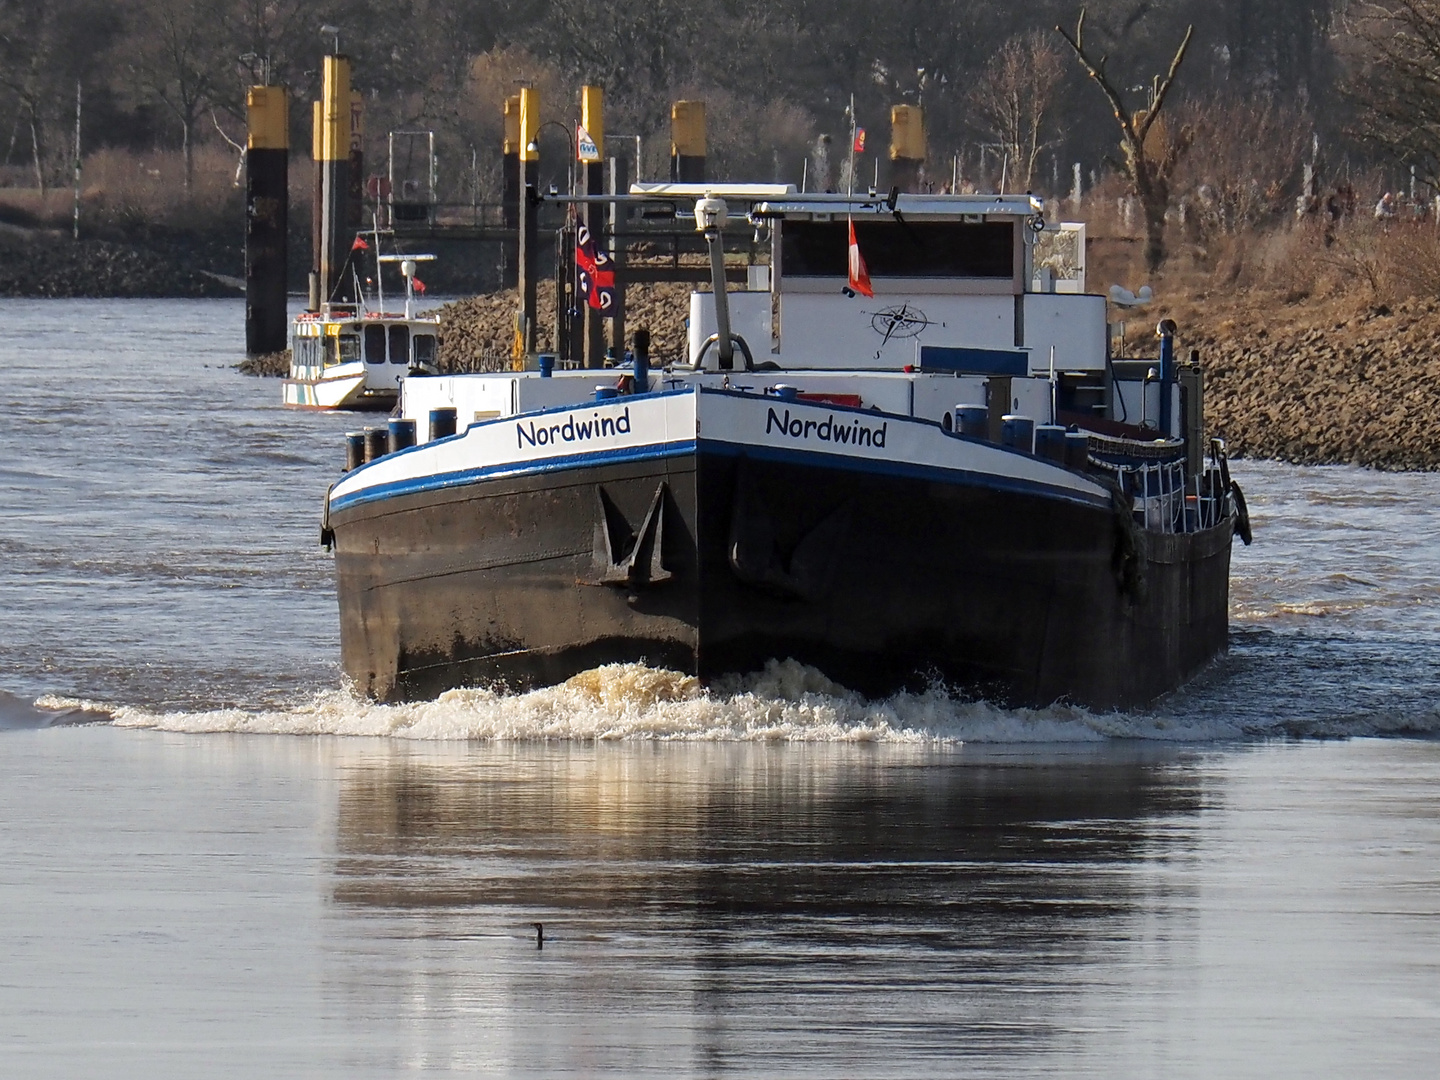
(218, 863)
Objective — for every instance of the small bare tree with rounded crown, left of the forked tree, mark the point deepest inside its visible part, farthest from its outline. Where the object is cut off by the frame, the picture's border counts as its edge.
(1014, 100)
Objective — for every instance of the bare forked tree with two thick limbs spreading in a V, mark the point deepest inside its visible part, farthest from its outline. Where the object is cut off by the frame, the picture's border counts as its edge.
(1150, 163)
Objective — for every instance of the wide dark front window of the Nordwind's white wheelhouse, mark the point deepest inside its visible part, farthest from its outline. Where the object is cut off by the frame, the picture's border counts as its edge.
(895, 250)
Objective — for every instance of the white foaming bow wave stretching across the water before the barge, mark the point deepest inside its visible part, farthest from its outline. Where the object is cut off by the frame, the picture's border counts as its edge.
(784, 703)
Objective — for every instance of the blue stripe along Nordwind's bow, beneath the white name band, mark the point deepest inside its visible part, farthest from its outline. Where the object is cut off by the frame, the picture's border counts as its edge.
(675, 450)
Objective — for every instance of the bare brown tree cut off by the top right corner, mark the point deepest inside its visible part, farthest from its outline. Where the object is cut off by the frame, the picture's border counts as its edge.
(1395, 81)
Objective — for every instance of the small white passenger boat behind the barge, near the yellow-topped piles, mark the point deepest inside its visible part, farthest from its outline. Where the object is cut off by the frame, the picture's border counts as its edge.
(348, 356)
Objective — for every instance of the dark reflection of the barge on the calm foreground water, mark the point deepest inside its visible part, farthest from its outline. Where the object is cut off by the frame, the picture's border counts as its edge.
(757, 906)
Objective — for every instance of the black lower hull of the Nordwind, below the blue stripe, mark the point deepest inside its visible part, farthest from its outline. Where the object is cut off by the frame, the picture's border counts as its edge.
(714, 561)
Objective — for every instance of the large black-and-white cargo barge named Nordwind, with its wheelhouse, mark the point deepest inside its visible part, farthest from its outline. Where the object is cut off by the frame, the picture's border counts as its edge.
(904, 456)
